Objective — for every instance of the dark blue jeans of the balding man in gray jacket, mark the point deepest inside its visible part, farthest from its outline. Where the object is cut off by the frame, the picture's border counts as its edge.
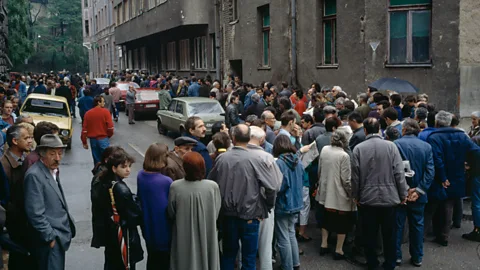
(235, 229)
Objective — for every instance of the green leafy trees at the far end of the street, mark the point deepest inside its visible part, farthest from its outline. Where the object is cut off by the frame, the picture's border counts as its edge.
(59, 38)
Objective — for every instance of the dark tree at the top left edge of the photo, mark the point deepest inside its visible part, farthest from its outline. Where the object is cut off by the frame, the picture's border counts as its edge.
(20, 47)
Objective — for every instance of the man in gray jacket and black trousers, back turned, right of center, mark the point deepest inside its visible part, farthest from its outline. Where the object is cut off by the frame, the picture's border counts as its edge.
(378, 186)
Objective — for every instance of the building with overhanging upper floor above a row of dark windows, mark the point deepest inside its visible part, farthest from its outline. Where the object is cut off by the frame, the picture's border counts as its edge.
(167, 35)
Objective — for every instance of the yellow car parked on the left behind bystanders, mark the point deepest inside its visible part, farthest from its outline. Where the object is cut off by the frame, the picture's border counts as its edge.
(52, 109)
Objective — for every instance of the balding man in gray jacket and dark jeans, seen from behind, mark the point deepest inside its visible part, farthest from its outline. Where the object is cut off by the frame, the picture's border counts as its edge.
(248, 190)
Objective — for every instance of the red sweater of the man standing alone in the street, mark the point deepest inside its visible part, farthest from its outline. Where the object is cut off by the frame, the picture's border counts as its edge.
(97, 123)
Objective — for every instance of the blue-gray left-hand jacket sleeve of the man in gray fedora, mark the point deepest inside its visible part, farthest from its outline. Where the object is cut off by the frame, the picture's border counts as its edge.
(35, 207)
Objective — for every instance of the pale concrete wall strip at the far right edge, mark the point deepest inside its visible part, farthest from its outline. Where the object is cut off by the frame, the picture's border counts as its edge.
(469, 57)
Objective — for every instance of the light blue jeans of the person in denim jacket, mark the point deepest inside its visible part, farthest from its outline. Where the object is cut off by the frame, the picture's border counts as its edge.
(286, 240)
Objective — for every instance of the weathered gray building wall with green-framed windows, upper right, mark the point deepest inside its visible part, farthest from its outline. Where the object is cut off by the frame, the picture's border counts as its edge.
(353, 43)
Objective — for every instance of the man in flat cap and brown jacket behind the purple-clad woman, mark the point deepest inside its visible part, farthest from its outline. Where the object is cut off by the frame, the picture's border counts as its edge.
(174, 168)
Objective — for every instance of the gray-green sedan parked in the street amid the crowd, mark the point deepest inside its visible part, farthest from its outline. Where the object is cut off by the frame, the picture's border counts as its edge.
(182, 108)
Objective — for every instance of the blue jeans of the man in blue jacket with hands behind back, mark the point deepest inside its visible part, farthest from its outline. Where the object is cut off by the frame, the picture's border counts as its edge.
(414, 212)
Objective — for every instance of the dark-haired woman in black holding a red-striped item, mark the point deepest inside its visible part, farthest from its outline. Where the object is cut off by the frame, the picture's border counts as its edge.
(122, 215)
